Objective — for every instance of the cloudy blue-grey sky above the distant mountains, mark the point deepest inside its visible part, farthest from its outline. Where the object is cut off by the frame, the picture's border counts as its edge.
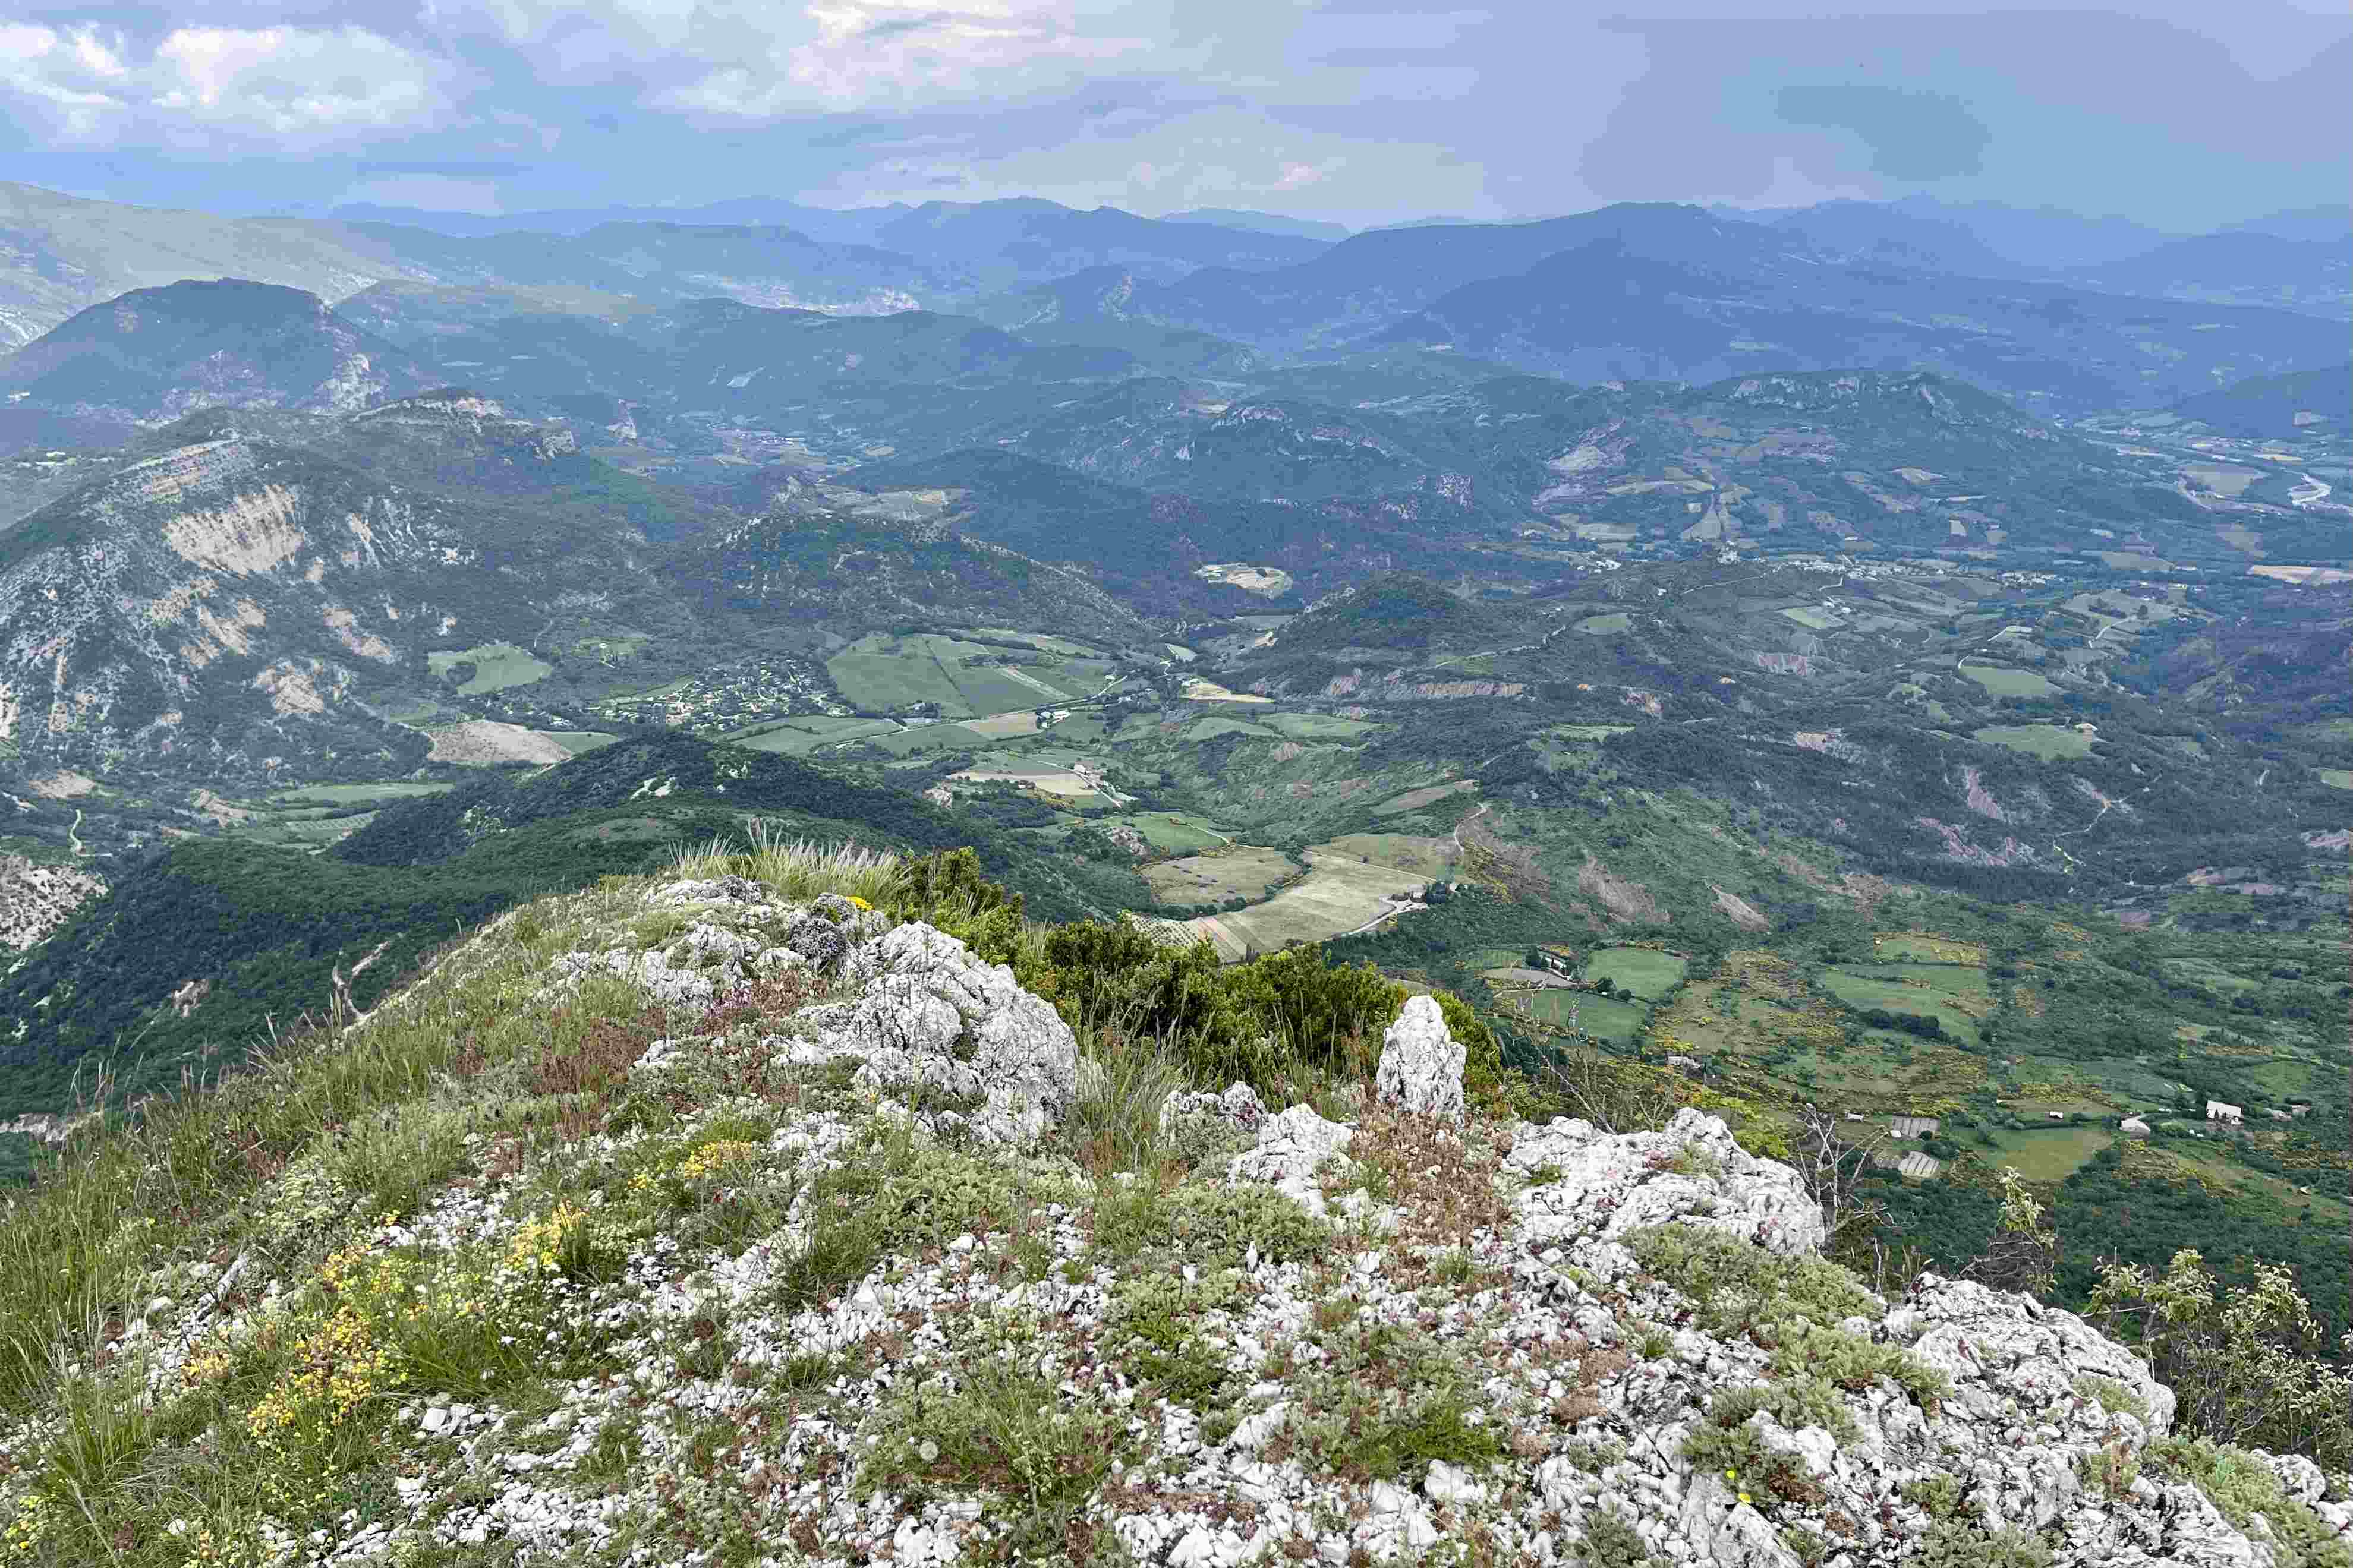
(2180, 114)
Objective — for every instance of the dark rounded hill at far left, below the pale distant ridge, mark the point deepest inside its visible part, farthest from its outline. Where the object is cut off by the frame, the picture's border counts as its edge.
(159, 354)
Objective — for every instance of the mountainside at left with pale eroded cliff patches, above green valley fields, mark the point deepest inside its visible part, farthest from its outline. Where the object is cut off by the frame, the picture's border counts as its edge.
(213, 603)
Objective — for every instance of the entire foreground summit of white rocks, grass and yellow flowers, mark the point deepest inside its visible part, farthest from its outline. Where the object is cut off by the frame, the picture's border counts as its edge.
(726, 1219)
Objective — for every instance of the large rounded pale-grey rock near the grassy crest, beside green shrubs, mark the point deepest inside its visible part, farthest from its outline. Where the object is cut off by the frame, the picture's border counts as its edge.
(956, 1036)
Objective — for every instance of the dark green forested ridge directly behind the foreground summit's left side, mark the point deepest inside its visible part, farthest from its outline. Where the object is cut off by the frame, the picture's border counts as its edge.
(262, 930)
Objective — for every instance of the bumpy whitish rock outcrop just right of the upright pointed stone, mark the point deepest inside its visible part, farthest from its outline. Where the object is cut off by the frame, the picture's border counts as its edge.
(1592, 1184)
